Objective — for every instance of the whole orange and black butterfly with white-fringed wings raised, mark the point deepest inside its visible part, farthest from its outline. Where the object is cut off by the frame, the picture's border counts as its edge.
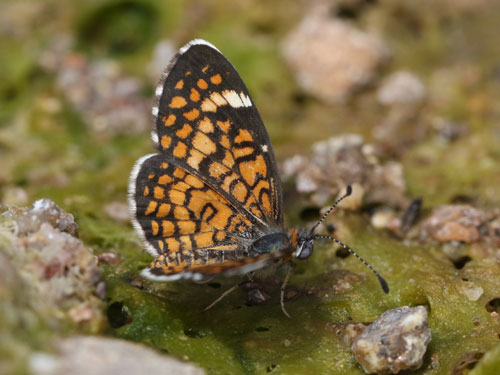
(209, 203)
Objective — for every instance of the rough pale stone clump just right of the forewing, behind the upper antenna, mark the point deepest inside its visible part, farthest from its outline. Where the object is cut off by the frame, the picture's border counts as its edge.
(344, 160)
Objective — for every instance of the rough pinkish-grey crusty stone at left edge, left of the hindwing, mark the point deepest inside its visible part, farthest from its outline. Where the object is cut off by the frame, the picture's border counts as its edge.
(61, 275)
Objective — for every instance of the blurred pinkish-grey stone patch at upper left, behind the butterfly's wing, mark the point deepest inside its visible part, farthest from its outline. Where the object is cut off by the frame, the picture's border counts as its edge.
(109, 101)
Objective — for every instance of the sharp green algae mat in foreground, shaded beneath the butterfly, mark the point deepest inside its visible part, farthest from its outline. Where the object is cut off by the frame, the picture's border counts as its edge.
(233, 337)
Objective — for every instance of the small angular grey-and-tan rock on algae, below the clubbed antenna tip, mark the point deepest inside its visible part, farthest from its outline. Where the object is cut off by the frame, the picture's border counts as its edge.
(394, 342)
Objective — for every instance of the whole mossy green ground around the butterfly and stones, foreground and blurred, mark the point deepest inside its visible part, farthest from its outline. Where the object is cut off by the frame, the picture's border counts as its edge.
(455, 52)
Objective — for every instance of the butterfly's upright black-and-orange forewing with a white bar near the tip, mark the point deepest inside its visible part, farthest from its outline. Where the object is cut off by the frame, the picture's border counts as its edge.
(206, 119)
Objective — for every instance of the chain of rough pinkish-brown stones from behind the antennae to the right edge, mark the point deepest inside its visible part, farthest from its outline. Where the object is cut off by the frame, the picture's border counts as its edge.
(382, 185)
